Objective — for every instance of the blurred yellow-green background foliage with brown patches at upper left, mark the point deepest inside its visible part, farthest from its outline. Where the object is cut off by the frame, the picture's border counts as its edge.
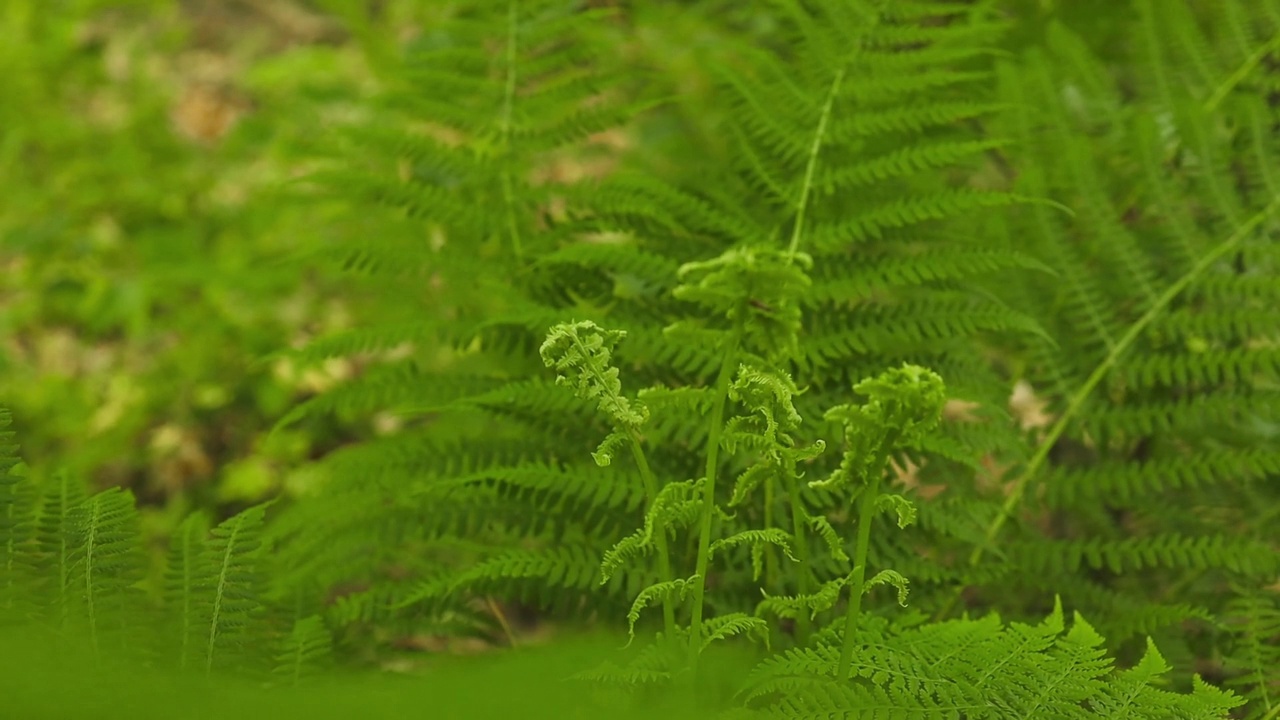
(145, 239)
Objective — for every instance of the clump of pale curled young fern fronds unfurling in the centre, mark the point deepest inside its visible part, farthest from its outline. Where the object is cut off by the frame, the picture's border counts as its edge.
(753, 318)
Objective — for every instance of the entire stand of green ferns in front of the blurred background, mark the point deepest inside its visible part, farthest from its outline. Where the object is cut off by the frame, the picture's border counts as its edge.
(747, 403)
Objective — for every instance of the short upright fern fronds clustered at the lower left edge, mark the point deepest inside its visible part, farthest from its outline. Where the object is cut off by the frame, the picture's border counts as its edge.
(76, 566)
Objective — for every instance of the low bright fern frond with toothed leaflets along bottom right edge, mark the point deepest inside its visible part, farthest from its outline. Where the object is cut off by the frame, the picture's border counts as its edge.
(976, 669)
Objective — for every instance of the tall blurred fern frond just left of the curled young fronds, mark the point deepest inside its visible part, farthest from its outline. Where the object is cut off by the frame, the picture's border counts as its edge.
(508, 93)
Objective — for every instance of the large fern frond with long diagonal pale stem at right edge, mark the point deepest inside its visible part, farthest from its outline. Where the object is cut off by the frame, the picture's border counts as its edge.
(1163, 370)
